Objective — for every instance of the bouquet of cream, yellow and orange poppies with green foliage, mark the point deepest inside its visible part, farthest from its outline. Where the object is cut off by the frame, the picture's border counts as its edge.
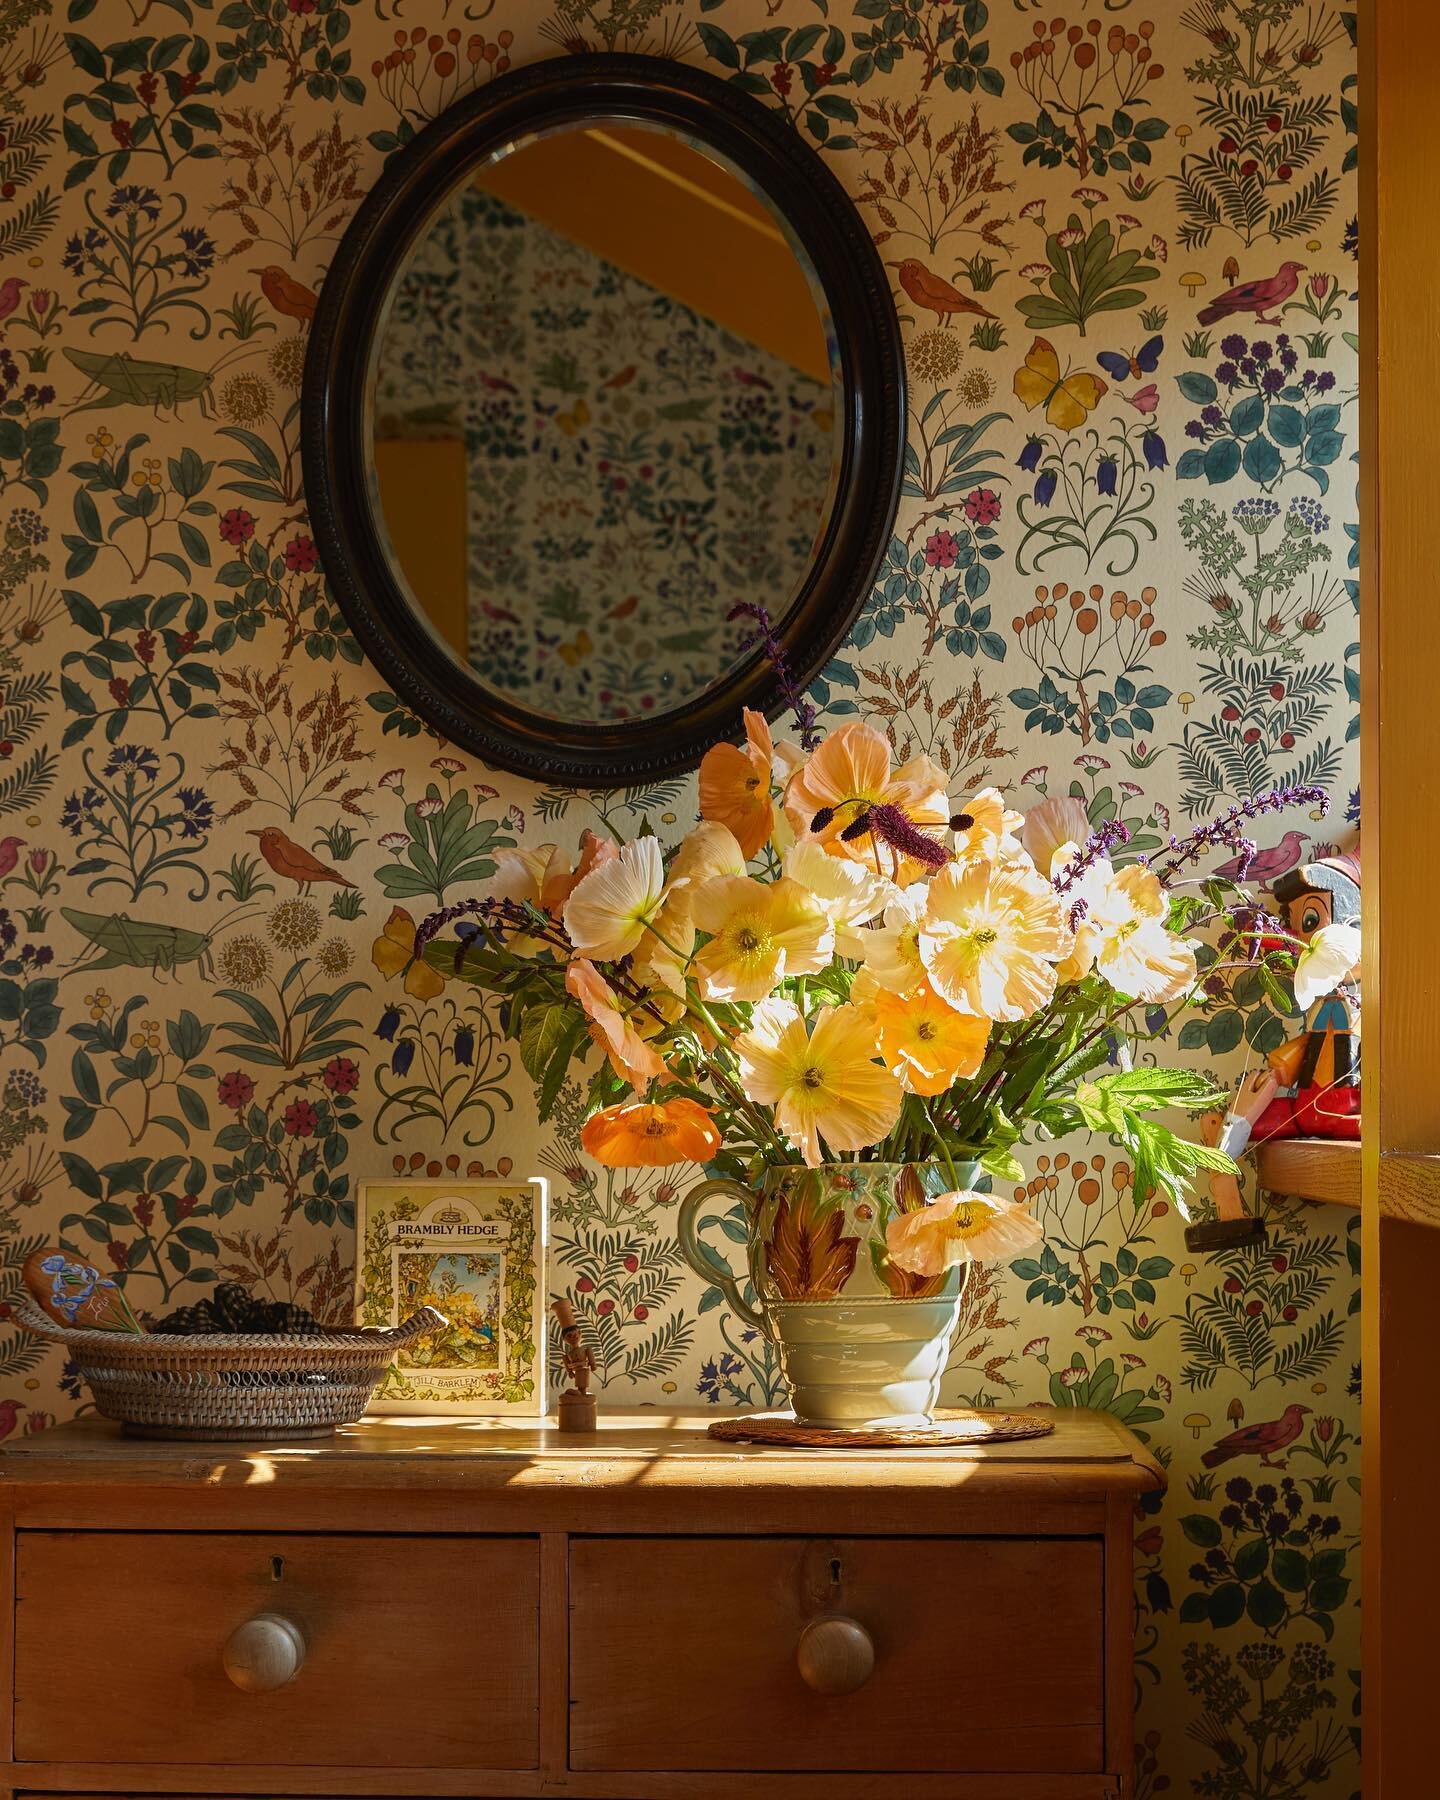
(843, 962)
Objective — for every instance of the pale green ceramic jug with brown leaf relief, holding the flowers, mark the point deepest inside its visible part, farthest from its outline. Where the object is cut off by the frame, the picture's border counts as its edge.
(861, 1342)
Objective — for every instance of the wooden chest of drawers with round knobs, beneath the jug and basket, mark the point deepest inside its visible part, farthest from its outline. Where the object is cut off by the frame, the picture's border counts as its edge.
(469, 1610)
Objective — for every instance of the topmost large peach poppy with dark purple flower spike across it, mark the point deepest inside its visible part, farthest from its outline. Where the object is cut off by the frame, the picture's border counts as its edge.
(847, 778)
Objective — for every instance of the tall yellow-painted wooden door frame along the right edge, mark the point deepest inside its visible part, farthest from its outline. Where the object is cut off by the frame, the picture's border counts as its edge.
(1399, 820)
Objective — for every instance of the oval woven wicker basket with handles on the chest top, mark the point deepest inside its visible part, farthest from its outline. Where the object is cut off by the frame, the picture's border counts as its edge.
(233, 1387)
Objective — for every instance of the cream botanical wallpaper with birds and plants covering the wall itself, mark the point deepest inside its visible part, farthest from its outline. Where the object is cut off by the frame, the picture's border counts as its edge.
(1124, 253)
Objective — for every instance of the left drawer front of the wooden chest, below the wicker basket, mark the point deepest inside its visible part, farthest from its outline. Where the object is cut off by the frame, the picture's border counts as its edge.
(413, 1651)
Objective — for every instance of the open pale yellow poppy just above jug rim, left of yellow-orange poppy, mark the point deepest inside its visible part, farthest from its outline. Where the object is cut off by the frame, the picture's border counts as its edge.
(825, 1084)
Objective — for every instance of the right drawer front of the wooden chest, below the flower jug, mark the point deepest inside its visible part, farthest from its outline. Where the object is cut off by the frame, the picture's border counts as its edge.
(987, 1655)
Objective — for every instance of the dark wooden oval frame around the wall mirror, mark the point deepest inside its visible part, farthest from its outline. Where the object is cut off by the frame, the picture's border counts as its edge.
(336, 426)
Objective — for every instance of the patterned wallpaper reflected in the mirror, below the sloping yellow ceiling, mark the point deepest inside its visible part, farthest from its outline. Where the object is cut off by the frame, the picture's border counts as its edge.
(634, 472)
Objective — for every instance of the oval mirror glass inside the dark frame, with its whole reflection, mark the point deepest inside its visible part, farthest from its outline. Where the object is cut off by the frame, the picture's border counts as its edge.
(604, 415)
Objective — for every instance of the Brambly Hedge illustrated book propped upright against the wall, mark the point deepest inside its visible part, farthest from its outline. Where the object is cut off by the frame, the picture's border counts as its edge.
(476, 1252)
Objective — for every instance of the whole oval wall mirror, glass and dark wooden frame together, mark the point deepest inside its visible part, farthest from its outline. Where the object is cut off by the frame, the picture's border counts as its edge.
(606, 363)
